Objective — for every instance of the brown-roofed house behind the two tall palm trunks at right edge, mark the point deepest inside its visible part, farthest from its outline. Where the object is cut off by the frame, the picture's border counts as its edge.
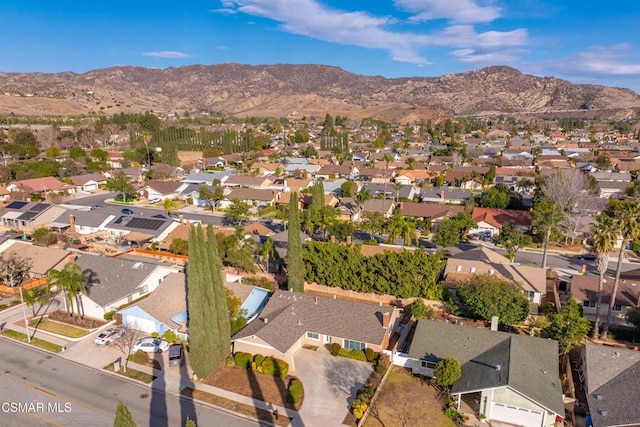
(585, 290)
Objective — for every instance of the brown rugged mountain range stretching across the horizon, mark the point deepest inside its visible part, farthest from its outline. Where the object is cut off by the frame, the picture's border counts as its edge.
(283, 90)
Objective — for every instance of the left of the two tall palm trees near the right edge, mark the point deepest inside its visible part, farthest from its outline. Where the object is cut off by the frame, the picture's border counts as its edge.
(603, 239)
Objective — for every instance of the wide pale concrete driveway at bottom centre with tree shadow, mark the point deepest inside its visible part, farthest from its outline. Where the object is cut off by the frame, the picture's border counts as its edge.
(330, 385)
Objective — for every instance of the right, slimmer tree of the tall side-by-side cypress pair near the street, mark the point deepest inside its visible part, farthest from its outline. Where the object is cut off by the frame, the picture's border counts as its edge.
(223, 343)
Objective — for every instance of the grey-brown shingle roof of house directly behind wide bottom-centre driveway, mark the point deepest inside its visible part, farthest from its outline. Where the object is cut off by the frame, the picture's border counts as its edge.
(292, 314)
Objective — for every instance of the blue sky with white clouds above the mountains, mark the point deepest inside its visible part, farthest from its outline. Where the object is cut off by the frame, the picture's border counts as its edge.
(584, 41)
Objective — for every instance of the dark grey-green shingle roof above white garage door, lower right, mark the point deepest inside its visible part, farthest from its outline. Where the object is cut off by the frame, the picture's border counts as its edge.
(527, 364)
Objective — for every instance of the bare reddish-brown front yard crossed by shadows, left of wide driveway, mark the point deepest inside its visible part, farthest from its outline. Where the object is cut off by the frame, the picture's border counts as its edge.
(254, 384)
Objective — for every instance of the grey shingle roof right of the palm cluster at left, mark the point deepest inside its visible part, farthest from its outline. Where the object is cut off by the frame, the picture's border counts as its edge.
(111, 279)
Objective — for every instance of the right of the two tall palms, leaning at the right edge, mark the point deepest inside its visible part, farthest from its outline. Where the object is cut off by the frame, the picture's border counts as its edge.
(626, 214)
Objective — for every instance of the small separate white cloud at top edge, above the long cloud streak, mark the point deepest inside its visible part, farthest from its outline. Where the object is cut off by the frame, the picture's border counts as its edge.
(459, 11)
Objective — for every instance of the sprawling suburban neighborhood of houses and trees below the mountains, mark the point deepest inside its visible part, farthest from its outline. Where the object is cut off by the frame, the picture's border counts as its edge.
(343, 274)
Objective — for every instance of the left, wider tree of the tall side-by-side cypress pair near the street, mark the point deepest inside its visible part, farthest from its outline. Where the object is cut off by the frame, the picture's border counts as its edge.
(203, 333)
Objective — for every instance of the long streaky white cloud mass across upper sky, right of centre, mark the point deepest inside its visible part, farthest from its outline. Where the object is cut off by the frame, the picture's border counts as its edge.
(312, 19)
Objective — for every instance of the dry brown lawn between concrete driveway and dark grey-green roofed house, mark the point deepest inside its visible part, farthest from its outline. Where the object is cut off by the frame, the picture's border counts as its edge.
(407, 400)
